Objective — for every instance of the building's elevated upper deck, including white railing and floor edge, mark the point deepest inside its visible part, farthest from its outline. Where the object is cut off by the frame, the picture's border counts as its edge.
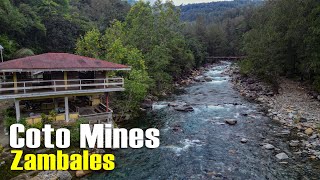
(43, 88)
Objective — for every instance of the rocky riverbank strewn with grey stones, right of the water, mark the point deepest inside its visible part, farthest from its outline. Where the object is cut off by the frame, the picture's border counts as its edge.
(293, 106)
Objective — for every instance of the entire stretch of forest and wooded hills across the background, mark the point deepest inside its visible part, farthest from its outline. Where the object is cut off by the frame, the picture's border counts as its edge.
(163, 42)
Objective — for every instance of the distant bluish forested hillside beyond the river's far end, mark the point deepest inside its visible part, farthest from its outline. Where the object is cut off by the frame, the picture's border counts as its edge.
(219, 25)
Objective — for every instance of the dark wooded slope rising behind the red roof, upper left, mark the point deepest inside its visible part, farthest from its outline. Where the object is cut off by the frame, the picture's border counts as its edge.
(52, 25)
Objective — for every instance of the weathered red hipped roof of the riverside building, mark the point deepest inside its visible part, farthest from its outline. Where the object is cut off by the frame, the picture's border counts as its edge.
(59, 61)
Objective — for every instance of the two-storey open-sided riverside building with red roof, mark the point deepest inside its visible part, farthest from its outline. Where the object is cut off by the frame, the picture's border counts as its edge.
(39, 83)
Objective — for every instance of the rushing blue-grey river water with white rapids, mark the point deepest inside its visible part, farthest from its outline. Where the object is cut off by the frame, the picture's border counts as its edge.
(199, 145)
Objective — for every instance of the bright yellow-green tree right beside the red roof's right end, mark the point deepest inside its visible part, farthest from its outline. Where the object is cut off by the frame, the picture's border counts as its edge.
(112, 49)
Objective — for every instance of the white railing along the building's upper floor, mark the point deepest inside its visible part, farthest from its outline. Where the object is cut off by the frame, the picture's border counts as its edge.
(59, 85)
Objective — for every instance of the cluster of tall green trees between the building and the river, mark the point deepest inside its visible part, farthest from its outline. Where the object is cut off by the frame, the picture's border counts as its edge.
(151, 40)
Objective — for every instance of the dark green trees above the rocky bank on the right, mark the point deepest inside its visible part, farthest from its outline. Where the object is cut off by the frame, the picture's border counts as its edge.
(283, 40)
